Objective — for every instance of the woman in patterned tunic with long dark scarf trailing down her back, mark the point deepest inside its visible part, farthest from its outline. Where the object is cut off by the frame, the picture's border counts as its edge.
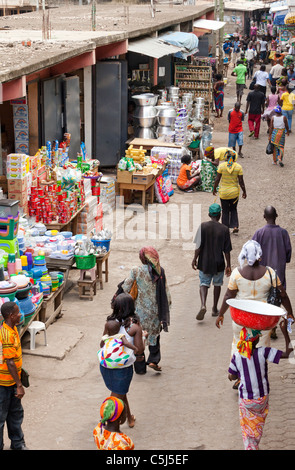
(151, 304)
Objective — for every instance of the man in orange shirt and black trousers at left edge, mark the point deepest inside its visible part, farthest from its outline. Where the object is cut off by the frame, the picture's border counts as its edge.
(11, 388)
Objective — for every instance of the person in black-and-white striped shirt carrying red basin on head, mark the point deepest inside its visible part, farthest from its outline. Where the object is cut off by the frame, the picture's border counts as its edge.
(249, 364)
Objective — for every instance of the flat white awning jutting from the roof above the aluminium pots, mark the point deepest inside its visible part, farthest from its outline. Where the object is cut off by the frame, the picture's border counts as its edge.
(153, 47)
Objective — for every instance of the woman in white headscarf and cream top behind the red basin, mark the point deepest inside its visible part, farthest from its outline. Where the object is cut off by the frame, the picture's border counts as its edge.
(252, 281)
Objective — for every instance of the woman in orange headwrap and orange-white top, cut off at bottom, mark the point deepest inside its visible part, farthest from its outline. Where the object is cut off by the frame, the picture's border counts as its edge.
(107, 434)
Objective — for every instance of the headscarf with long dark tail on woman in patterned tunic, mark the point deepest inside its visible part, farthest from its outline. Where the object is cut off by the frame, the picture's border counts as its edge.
(149, 255)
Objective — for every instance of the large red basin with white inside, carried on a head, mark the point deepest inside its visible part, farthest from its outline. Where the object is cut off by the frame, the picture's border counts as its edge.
(254, 314)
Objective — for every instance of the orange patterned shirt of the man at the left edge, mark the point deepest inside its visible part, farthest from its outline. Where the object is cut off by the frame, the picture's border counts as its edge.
(10, 348)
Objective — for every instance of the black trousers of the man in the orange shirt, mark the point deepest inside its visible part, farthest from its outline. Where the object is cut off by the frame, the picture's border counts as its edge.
(11, 412)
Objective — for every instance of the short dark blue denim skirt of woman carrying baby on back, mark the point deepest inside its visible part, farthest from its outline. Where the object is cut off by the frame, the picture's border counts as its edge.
(117, 380)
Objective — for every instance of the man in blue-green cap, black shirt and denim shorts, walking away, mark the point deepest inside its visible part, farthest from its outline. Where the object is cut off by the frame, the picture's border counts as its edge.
(212, 258)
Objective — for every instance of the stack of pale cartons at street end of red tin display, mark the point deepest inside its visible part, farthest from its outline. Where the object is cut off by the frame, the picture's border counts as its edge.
(90, 218)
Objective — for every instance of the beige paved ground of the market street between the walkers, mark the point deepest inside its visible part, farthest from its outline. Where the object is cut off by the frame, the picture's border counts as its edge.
(192, 396)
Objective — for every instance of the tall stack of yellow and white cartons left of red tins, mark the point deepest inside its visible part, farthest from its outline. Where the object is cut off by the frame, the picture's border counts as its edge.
(18, 166)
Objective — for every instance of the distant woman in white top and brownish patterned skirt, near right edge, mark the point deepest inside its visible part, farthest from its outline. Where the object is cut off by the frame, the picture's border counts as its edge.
(277, 132)
